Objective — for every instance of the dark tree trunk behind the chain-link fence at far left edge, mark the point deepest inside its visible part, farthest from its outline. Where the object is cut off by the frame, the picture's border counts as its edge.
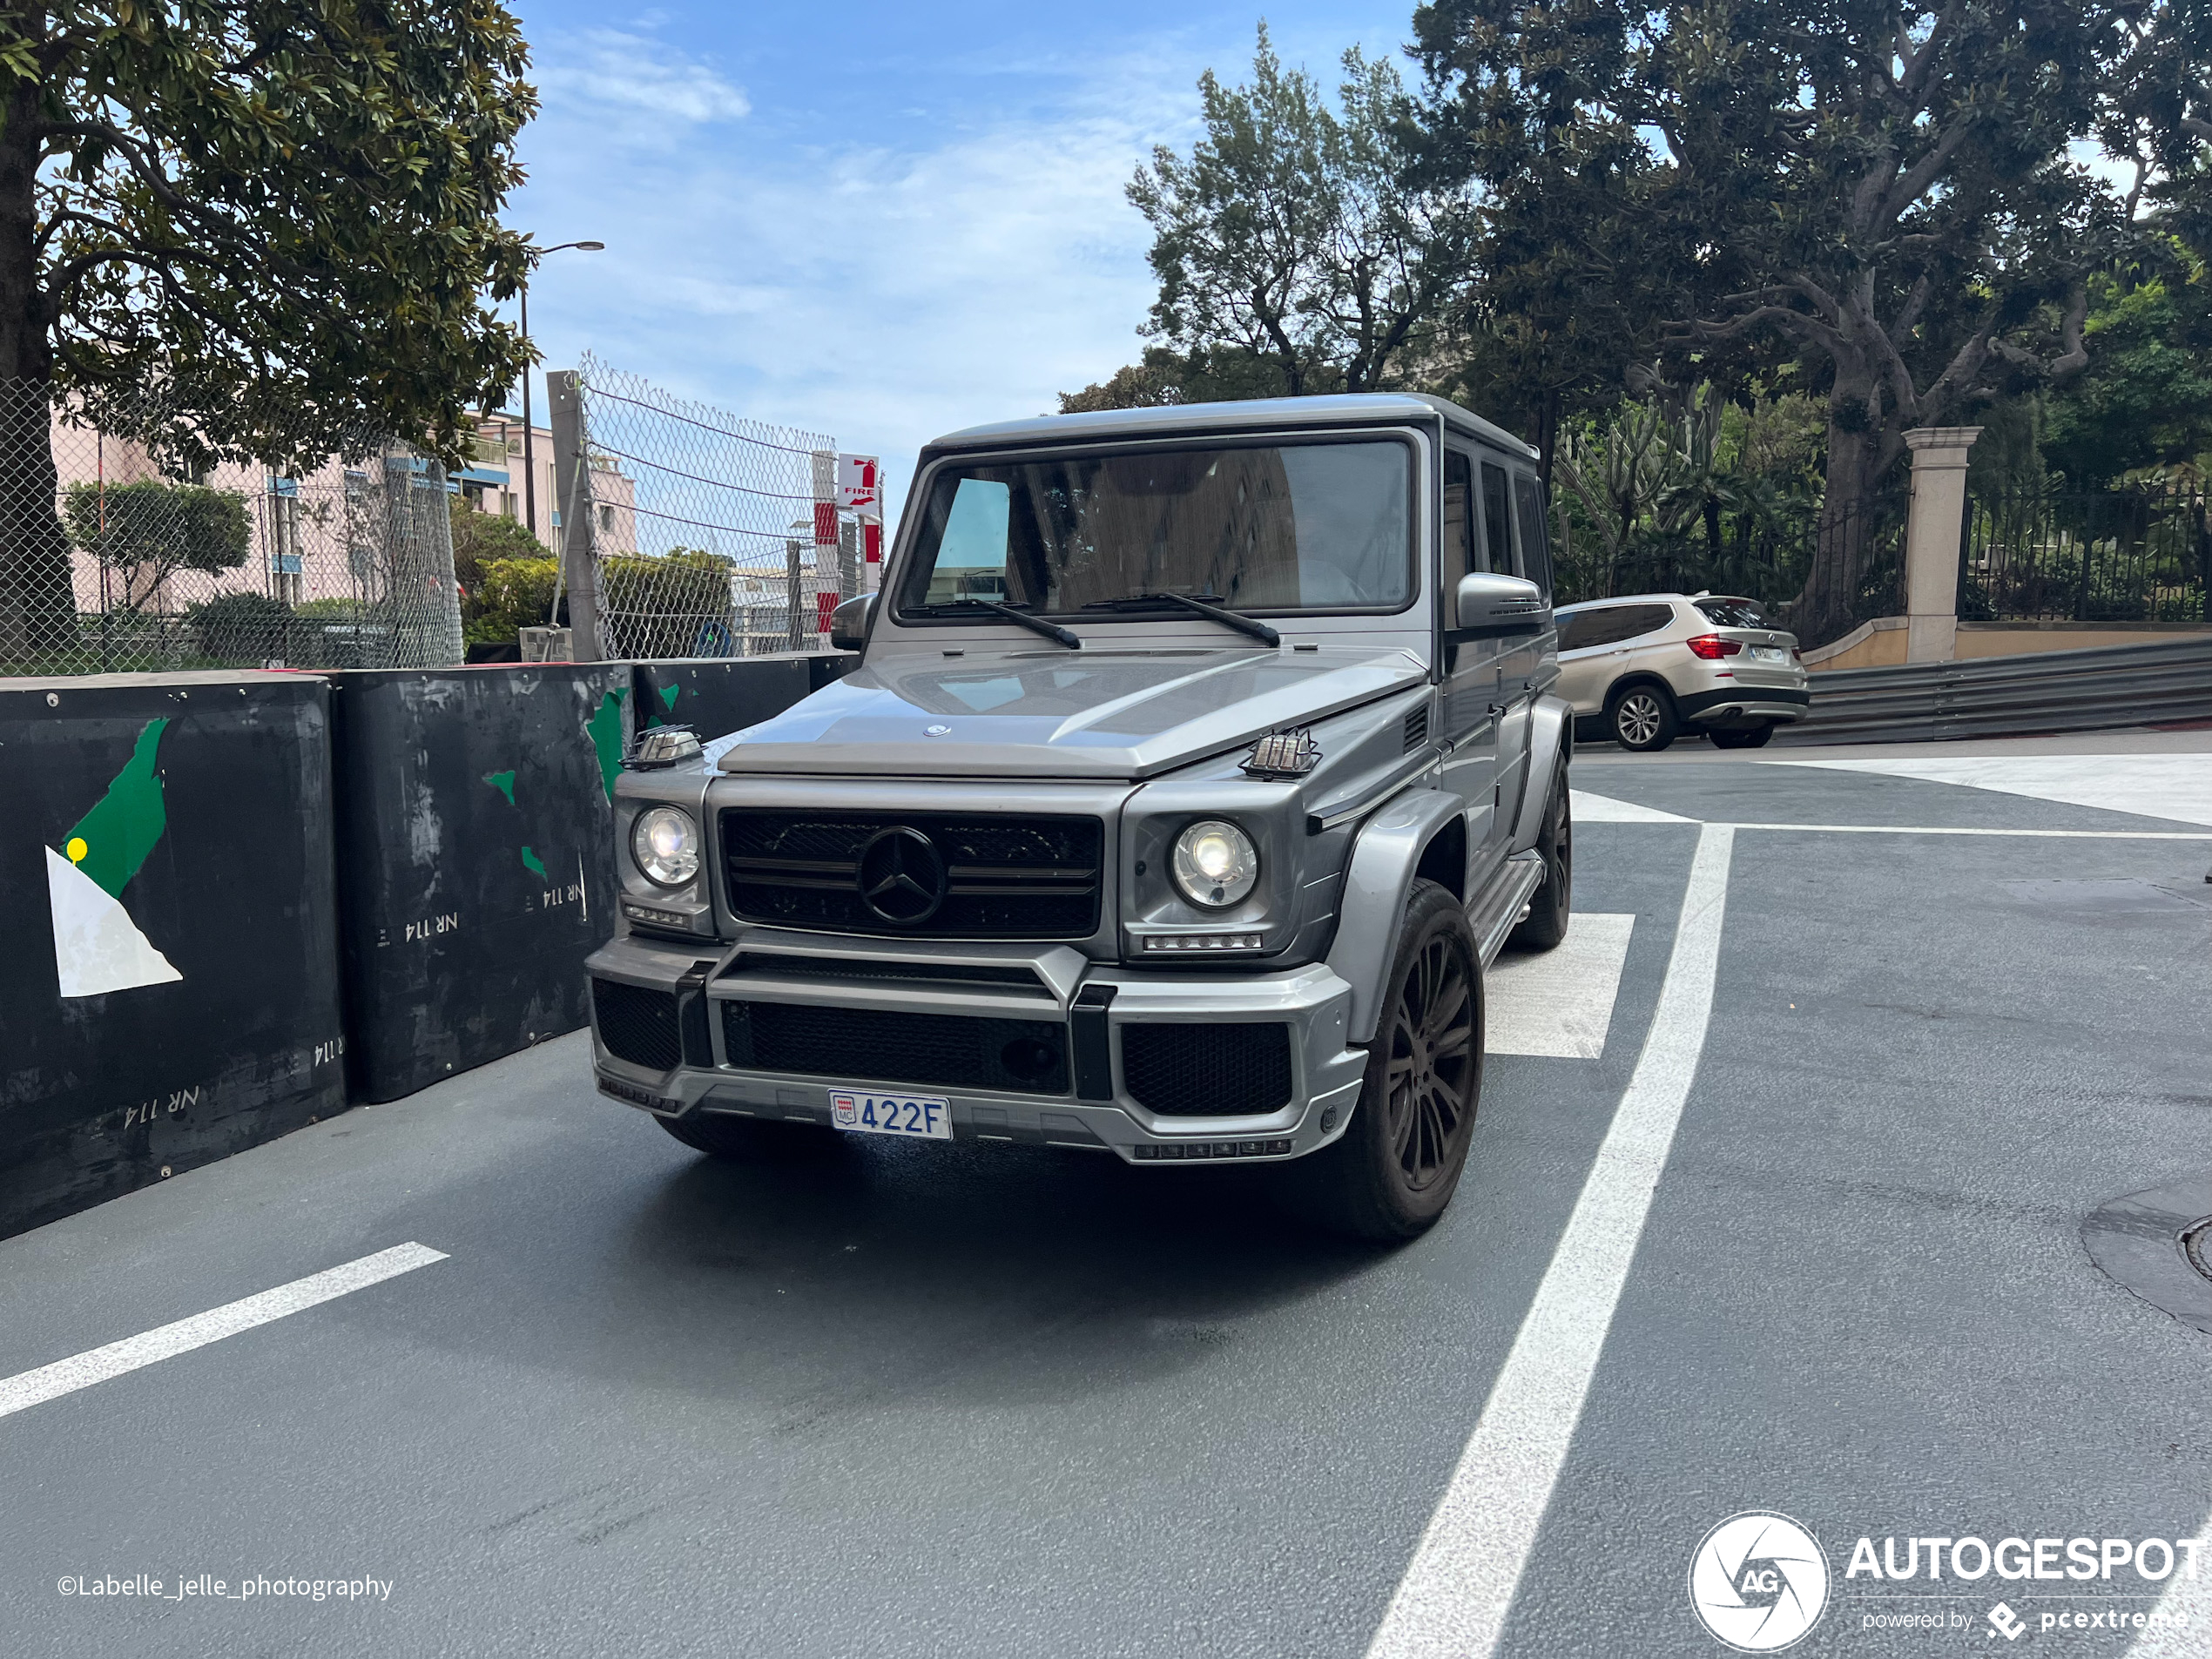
(39, 616)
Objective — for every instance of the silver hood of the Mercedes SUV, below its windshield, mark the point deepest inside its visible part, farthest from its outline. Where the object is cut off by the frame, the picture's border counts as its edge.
(1058, 713)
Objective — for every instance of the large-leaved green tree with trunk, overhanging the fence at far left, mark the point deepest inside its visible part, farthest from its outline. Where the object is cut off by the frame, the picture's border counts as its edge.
(247, 229)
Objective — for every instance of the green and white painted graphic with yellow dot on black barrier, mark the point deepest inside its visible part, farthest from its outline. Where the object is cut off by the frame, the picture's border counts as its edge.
(96, 946)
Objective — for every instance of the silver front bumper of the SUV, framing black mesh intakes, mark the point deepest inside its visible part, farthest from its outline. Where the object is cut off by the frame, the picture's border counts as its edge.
(1094, 1109)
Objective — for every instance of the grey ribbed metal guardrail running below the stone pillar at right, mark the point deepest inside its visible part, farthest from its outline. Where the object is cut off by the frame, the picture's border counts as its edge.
(2054, 691)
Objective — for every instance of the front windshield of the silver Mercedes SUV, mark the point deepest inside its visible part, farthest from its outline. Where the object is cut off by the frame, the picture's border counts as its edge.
(1280, 528)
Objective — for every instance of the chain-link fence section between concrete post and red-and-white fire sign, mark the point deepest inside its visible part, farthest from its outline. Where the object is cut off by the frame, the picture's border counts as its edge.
(705, 528)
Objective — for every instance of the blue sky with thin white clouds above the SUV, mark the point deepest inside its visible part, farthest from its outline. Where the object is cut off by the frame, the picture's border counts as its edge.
(870, 220)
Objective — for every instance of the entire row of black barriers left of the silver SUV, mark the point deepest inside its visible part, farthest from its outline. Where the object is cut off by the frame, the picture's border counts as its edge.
(238, 901)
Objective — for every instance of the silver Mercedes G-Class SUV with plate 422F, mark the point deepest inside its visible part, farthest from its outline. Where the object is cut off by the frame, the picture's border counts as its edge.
(1196, 766)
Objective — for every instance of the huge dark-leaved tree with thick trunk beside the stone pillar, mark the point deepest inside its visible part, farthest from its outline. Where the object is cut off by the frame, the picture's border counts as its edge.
(1877, 194)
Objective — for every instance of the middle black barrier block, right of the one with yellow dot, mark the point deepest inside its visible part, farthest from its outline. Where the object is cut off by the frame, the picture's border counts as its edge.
(474, 864)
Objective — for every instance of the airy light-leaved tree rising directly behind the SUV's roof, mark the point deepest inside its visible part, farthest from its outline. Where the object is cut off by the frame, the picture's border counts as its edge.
(1304, 238)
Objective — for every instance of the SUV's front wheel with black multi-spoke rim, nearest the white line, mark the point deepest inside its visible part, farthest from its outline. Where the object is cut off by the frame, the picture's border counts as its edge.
(1399, 1162)
